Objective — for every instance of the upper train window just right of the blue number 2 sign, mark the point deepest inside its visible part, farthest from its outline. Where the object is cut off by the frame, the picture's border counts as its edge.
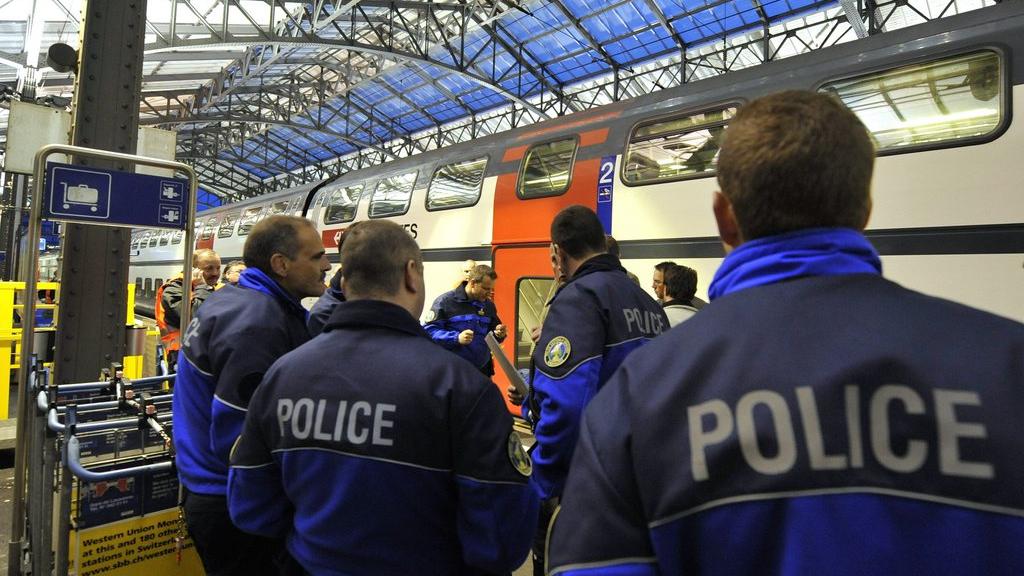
(671, 149)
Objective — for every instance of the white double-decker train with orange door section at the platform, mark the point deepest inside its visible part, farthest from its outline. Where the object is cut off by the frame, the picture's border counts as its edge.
(938, 98)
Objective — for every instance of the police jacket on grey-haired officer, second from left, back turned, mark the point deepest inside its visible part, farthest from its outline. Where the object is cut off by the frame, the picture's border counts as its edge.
(396, 459)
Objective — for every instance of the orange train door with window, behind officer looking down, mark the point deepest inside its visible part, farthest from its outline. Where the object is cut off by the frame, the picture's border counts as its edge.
(524, 286)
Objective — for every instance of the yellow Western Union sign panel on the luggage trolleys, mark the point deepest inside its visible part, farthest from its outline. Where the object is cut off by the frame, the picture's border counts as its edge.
(133, 547)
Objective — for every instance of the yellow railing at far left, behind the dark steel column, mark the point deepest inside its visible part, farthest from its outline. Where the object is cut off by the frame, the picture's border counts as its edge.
(11, 333)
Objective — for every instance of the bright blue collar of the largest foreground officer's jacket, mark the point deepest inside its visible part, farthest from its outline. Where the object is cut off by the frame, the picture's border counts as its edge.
(830, 252)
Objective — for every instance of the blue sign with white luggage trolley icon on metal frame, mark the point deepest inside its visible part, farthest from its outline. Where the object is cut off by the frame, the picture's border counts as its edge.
(89, 195)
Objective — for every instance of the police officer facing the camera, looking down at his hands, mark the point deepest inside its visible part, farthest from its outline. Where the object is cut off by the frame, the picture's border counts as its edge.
(460, 319)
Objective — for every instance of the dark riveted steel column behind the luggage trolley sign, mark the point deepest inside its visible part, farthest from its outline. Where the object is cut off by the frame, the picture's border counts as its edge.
(96, 265)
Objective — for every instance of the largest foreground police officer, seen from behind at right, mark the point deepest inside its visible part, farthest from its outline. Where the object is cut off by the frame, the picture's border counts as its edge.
(816, 419)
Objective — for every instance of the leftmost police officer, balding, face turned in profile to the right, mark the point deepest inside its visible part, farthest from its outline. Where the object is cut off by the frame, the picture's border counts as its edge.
(230, 345)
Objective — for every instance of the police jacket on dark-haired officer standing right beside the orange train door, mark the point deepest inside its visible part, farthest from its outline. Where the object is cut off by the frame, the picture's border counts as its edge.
(594, 322)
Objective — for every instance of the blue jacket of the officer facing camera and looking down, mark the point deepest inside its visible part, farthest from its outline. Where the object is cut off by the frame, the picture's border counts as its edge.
(452, 313)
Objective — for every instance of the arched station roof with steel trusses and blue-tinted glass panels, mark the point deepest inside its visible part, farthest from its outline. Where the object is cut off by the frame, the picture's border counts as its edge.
(264, 94)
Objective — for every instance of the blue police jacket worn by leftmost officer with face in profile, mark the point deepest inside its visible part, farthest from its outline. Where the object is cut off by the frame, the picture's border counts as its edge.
(229, 346)
